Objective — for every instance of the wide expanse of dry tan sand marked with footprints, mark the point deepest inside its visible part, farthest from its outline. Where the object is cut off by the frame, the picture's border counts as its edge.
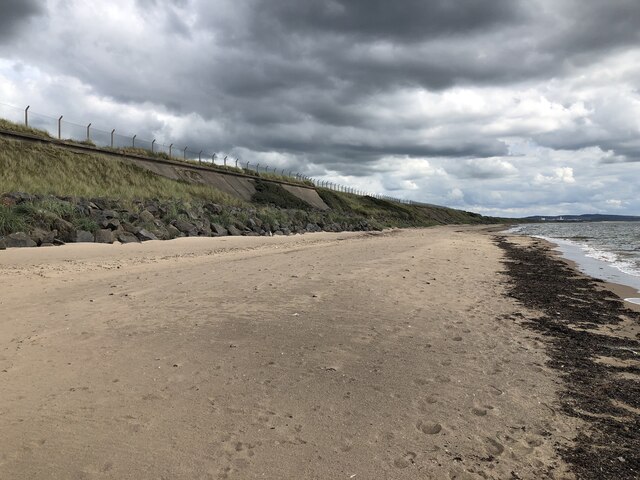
(328, 356)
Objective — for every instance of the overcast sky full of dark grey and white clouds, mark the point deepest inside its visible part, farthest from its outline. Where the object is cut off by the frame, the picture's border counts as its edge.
(504, 107)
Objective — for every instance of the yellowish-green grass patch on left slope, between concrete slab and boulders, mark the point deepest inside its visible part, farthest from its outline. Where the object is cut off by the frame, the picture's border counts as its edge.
(52, 170)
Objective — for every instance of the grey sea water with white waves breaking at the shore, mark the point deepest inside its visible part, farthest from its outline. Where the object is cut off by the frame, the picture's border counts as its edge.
(609, 251)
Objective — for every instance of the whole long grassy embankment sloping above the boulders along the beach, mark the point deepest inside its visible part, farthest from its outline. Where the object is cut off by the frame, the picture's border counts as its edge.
(44, 169)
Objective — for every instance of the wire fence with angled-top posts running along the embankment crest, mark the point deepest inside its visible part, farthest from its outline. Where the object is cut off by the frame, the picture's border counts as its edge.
(62, 129)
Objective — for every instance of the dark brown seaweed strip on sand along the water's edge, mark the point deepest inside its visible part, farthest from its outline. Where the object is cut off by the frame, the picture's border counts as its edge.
(600, 370)
